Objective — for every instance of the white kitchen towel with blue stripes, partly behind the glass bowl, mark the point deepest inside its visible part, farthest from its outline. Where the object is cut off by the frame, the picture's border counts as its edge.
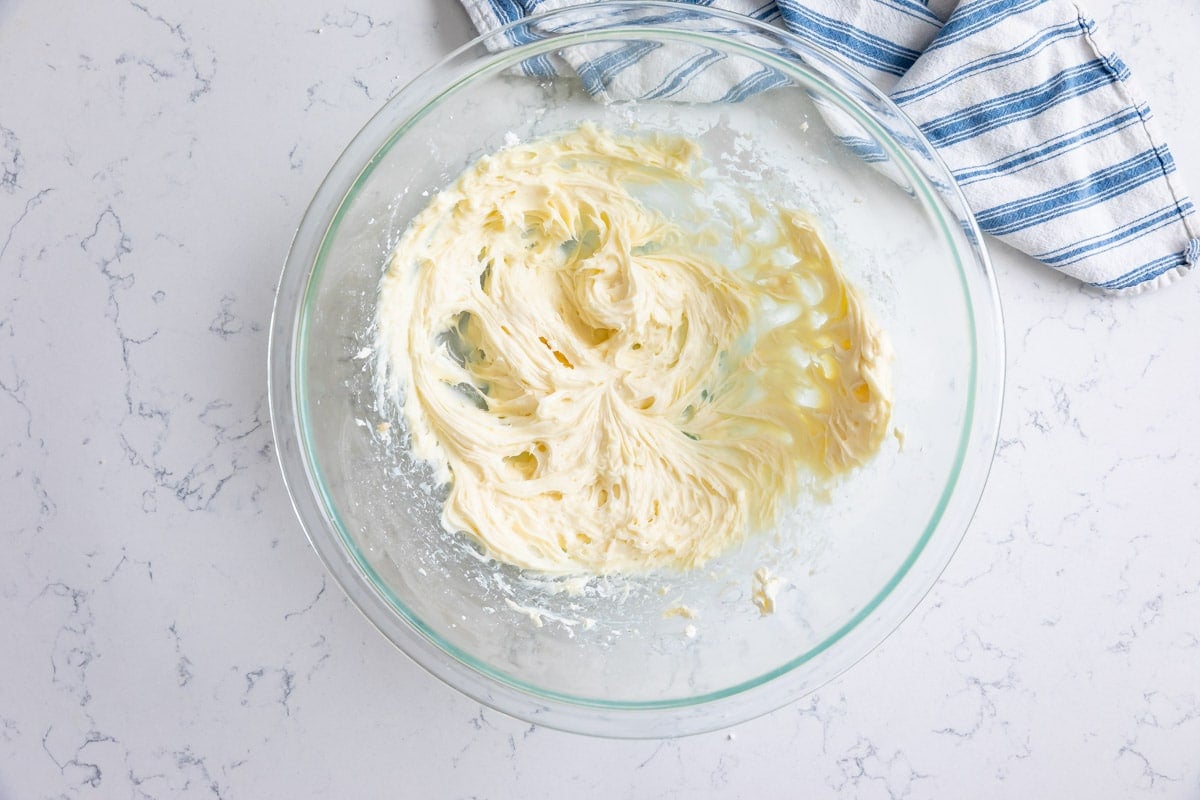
(1039, 123)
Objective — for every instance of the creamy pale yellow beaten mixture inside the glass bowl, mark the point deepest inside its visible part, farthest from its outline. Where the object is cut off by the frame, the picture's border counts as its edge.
(620, 360)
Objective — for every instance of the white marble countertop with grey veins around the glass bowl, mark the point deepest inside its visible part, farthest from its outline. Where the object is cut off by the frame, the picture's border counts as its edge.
(167, 631)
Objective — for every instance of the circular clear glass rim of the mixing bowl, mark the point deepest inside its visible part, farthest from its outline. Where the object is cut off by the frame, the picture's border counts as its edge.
(328, 534)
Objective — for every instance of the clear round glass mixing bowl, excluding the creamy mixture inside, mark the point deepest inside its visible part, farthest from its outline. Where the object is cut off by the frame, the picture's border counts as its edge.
(608, 659)
